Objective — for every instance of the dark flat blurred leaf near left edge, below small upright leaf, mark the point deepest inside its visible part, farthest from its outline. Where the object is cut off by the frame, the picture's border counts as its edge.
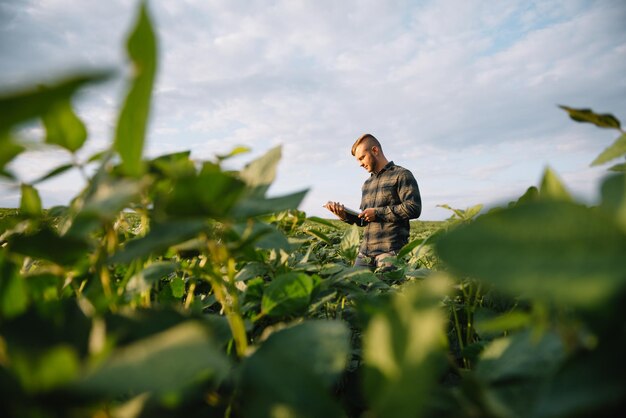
(46, 244)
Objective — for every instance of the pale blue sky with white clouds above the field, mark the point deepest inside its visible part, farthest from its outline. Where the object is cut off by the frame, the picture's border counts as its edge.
(464, 93)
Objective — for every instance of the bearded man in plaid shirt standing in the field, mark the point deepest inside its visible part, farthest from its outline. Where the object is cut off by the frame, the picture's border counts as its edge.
(390, 197)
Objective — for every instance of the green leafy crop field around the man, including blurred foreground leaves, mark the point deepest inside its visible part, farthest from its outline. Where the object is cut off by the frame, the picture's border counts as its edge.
(169, 287)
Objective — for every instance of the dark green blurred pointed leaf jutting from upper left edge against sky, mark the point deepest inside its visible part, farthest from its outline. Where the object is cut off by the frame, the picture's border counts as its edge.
(31, 103)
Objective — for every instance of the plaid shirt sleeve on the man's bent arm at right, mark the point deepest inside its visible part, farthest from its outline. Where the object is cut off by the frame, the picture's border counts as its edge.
(410, 206)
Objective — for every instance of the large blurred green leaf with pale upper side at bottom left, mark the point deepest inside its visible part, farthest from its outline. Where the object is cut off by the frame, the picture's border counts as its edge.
(161, 363)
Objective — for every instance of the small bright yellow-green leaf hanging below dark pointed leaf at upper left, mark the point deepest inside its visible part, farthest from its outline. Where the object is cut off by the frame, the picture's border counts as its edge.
(63, 127)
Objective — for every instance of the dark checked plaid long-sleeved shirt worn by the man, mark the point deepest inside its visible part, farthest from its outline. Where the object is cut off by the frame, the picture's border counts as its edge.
(395, 196)
